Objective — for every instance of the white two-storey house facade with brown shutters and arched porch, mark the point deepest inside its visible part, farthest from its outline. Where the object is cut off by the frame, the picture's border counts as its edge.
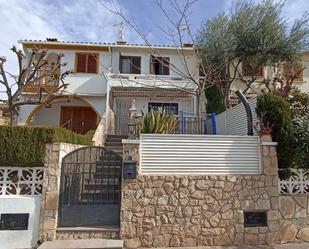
(104, 80)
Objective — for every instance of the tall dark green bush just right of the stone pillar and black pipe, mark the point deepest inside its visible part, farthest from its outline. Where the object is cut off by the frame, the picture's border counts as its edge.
(274, 112)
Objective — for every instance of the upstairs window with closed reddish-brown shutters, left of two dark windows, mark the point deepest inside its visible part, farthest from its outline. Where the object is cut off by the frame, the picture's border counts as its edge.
(87, 63)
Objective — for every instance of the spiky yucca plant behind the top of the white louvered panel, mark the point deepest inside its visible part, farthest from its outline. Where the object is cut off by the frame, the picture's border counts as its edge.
(157, 122)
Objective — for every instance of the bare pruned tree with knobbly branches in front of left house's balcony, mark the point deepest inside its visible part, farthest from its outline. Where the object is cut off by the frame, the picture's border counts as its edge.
(36, 74)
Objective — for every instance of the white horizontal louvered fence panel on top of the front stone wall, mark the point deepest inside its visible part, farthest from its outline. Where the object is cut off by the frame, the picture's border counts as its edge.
(199, 154)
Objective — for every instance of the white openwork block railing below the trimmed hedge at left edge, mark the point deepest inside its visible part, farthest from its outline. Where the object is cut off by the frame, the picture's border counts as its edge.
(21, 181)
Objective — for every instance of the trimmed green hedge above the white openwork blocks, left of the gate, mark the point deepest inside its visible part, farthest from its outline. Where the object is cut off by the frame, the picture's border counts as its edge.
(25, 146)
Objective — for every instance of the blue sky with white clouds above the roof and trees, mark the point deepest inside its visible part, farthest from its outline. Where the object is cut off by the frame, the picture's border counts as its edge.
(89, 20)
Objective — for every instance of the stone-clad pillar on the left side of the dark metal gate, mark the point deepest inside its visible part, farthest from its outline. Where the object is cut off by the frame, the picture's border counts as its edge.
(51, 188)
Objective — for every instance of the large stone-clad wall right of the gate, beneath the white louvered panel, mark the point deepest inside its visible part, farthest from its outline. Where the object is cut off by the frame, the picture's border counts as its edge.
(162, 211)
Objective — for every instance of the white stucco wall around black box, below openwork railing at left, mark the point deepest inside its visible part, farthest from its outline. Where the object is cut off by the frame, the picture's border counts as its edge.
(13, 239)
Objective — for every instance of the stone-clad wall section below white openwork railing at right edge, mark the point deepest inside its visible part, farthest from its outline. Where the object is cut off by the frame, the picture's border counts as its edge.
(294, 215)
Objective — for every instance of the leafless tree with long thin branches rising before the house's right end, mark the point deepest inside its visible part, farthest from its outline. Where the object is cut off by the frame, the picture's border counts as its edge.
(178, 32)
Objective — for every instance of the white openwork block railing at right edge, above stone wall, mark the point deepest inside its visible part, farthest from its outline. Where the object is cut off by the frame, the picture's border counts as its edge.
(298, 183)
